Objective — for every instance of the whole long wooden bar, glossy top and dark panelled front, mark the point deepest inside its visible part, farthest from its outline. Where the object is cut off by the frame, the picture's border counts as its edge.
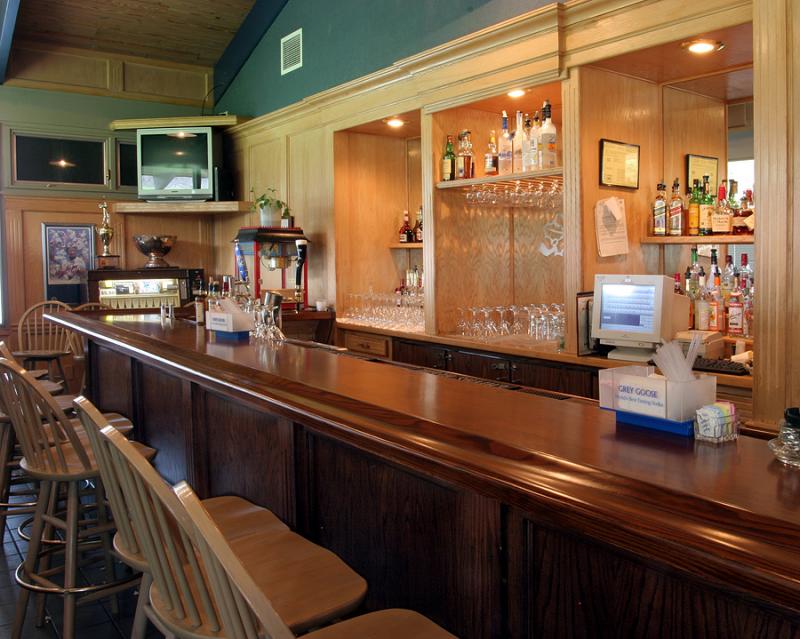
(497, 513)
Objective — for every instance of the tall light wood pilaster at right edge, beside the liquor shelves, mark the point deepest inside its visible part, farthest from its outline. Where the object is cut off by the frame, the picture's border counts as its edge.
(775, 30)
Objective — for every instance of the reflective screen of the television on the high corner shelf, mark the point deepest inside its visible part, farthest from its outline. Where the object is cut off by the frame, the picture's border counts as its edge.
(175, 161)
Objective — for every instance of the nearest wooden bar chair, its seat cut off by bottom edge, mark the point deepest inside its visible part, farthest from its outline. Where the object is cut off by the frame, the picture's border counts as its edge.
(245, 610)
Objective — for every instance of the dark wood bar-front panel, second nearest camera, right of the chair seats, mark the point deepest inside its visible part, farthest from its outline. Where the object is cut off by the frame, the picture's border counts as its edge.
(419, 543)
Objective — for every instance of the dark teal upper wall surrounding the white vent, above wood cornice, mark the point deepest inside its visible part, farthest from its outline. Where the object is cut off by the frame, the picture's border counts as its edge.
(347, 39)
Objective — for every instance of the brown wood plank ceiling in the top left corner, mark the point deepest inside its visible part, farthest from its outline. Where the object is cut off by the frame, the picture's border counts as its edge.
(186, 31)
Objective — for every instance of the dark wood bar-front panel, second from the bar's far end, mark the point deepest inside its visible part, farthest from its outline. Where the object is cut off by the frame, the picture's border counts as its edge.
(165, 423)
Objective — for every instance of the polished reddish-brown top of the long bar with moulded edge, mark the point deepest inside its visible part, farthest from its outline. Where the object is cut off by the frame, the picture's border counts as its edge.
(734, 500)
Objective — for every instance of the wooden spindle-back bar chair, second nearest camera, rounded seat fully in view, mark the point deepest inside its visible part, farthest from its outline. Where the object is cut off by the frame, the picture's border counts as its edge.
(309, 585)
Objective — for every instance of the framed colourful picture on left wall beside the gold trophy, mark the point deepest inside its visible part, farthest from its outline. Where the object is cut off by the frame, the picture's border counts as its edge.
(68, 253)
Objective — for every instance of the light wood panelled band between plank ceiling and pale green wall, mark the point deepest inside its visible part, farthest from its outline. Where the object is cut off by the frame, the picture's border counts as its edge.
(39, 66)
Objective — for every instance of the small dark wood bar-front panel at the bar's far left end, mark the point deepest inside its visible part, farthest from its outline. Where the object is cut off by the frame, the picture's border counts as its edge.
(111, 383)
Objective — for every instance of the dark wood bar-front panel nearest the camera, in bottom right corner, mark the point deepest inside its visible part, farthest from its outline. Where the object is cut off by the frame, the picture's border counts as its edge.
(561, 585)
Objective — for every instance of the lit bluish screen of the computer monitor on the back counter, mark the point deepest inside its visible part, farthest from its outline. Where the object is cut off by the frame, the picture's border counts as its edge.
(629, 308)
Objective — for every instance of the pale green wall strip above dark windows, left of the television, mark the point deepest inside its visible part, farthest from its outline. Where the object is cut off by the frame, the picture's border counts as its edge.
(77, 111)
